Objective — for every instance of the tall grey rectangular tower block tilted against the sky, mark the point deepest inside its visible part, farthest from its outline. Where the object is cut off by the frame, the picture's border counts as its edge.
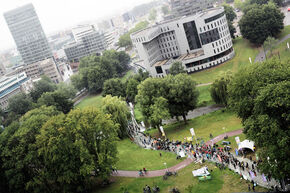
(28, 34)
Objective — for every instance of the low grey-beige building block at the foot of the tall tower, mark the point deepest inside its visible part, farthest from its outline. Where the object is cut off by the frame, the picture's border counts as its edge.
(36, 70)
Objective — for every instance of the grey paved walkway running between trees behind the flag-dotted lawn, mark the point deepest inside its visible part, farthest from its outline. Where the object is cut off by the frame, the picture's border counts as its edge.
(196, 113)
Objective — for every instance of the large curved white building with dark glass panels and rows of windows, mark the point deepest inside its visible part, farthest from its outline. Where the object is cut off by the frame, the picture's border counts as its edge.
(198, 41)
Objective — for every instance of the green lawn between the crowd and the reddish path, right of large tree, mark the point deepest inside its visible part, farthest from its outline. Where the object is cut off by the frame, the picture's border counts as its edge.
(133, 157)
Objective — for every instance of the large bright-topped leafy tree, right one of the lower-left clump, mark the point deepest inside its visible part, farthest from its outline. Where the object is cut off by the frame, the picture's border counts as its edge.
(75, 147)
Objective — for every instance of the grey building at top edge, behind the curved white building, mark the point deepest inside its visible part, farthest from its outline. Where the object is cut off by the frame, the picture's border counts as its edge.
(189, 7)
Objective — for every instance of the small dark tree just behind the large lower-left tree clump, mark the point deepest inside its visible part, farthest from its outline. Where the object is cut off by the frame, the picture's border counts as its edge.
(57, 99)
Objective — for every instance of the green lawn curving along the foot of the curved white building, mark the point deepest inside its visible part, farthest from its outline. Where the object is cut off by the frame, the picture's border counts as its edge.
(243, 50)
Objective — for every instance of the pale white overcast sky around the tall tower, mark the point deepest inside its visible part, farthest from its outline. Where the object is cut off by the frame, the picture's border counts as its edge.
(56, 15)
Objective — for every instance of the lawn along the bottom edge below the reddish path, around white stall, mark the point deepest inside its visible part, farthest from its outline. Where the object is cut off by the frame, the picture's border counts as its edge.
(222, 182)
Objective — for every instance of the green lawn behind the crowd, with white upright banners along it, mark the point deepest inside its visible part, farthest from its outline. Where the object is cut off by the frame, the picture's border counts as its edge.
(203, 126)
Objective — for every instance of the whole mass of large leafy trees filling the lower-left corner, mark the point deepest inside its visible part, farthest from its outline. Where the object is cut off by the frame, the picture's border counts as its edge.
(52, 152)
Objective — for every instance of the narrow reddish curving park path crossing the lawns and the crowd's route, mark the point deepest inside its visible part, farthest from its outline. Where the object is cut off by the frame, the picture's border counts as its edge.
(183, 164)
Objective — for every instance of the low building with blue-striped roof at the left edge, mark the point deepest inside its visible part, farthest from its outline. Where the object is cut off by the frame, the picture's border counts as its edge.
(10, 86)
